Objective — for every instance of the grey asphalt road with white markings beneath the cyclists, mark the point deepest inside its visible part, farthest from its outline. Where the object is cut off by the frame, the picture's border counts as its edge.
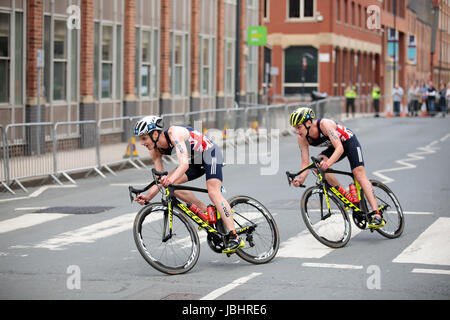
(48, 251)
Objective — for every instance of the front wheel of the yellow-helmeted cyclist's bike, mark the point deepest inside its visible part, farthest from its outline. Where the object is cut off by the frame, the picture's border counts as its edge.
(331, 226)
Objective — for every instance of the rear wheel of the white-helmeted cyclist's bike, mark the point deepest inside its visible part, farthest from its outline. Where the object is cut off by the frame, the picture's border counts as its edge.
(256, 226)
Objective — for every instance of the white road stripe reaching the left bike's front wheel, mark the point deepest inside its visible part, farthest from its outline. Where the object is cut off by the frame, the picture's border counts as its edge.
(91, 233)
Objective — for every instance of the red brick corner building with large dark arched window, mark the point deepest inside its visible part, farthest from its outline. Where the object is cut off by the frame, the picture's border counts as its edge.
(363, 41)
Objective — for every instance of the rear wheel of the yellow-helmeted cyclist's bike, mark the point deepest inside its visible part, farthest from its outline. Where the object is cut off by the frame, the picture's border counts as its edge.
(382, 193)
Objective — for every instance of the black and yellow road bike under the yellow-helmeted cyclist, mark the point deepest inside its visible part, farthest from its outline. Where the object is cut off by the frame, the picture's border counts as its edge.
(324, 208)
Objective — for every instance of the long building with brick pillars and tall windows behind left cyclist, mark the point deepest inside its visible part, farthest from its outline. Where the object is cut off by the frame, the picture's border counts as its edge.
(126, 57)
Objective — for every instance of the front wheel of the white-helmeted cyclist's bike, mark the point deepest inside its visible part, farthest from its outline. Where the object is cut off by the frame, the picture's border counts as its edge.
(172, 254)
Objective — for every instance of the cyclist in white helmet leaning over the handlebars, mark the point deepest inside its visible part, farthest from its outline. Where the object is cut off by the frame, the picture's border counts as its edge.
(205, 158)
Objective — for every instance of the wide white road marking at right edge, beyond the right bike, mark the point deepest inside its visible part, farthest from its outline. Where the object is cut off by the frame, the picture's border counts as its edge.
(431, 247)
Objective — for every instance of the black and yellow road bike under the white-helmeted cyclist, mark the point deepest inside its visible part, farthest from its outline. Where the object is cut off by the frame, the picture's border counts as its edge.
(166, 236)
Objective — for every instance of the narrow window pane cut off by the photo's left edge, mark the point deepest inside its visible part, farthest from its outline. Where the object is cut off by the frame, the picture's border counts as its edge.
(4, 57)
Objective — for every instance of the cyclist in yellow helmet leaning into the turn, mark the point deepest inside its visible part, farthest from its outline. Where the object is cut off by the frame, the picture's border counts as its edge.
(341, 142)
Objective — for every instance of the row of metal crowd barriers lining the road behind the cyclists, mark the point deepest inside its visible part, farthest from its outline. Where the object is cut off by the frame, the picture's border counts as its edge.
(54, 150)
